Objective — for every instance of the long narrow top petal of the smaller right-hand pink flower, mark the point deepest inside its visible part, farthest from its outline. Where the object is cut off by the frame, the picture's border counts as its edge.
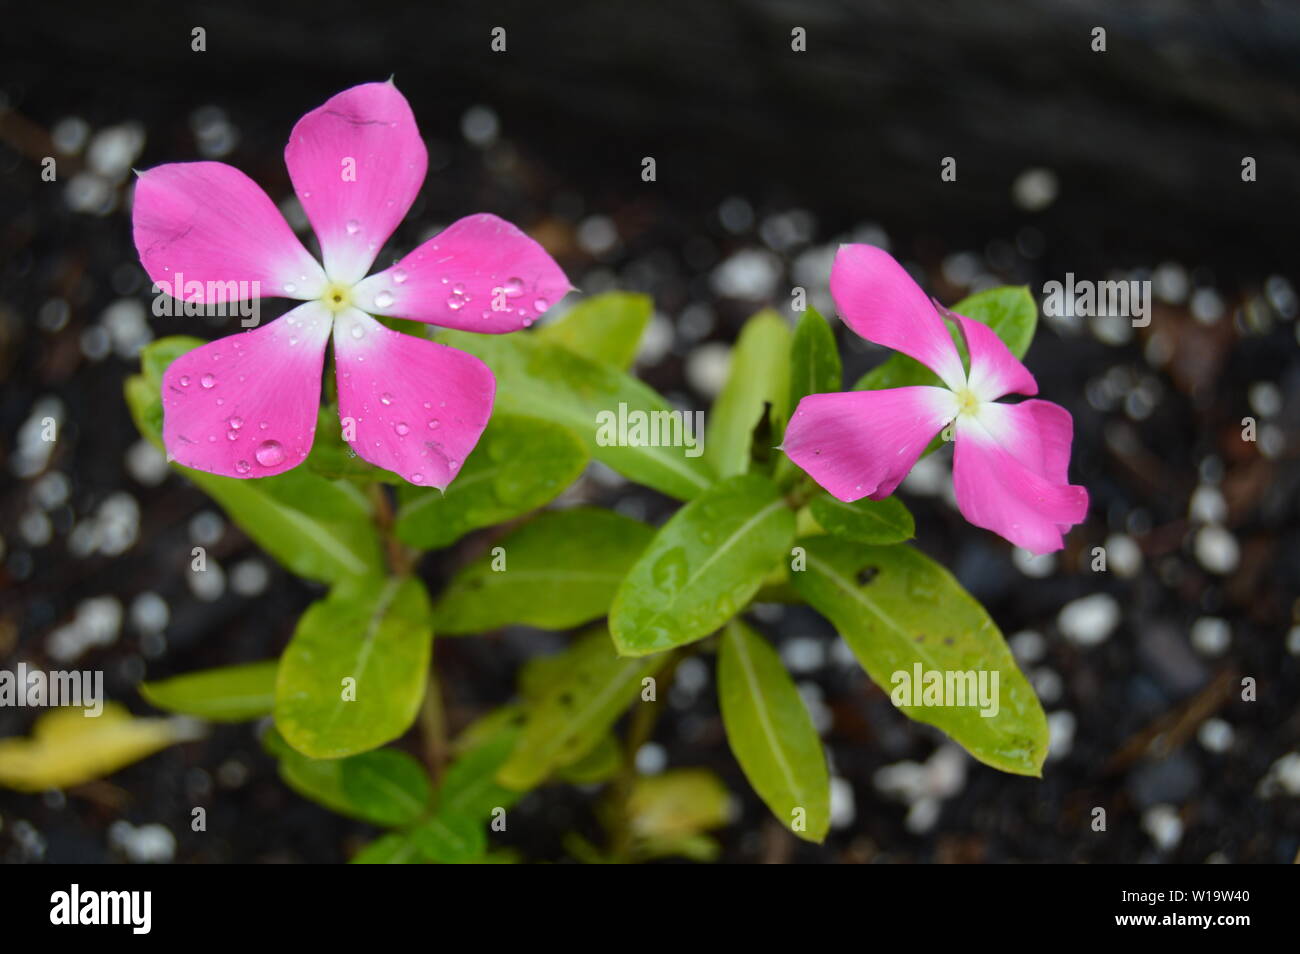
(879, 301)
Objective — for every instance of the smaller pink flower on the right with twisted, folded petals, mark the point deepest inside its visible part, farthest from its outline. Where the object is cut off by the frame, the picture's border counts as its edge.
(1009, 462)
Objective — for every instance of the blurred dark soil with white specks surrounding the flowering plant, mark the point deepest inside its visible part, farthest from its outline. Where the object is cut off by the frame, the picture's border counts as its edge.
(1117, 164)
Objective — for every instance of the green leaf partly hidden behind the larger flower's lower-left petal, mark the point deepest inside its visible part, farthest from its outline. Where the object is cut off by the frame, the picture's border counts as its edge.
(315, 528)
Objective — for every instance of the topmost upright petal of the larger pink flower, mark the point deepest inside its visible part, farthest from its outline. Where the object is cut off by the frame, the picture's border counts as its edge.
(357, 163)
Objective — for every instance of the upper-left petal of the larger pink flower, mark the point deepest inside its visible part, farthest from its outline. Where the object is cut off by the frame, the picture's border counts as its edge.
(207, 223)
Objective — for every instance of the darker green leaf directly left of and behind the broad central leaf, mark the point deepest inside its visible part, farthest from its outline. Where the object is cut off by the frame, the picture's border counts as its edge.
(561, 570)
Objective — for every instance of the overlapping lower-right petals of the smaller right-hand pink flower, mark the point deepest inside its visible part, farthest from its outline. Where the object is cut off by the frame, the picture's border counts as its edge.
(999, 491)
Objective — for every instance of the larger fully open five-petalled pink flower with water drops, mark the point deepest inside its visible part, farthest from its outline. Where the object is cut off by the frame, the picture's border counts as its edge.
(246, 406)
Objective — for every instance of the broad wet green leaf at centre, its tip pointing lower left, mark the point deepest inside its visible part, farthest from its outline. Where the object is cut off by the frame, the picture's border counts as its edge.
(703, 567)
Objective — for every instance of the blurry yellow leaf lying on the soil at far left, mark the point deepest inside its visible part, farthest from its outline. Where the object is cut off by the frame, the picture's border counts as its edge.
(68, 748)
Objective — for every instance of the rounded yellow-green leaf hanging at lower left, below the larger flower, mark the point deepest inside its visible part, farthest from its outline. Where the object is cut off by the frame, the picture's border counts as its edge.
(354, 674)
